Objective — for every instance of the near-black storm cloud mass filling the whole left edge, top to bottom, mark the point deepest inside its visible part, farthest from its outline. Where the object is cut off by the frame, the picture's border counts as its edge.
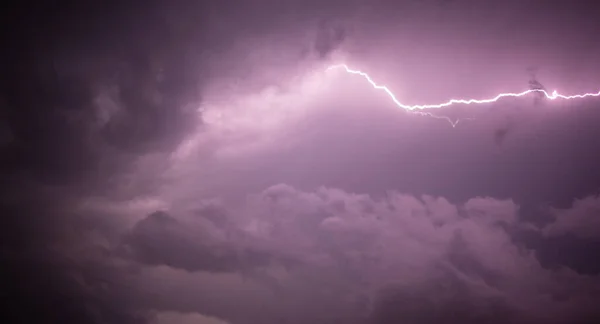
(54, 68)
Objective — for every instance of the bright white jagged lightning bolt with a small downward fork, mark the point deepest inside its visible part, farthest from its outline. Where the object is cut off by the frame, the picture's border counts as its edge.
(553, 96)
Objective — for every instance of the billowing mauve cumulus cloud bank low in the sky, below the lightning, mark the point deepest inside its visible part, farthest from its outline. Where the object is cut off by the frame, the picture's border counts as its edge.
(342, 256)
